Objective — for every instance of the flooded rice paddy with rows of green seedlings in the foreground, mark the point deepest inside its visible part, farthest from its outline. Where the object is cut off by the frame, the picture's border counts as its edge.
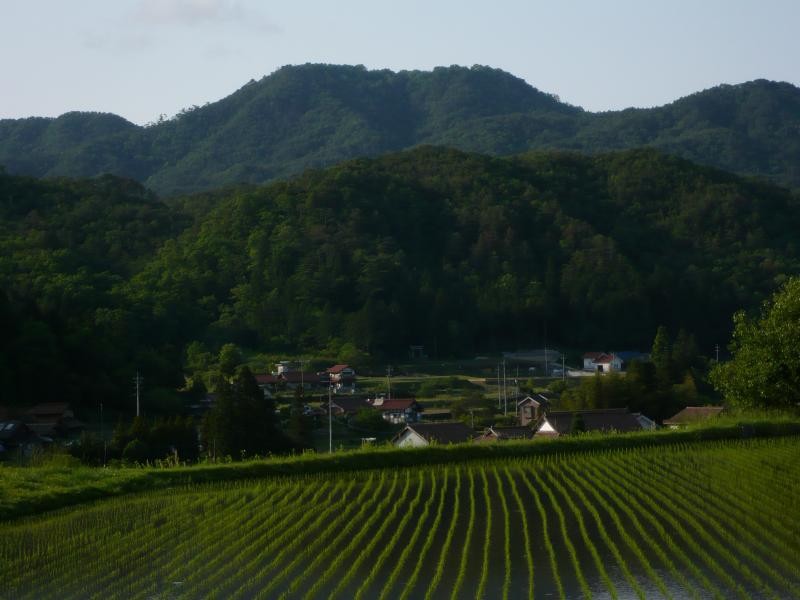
(694, 520)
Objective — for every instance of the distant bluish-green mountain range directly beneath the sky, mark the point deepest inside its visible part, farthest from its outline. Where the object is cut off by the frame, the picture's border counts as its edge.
(318, 115)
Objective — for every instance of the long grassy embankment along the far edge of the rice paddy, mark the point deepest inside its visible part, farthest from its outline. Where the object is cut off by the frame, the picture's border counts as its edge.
(30, 490)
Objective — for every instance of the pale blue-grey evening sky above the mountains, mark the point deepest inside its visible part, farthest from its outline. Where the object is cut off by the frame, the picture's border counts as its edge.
(144, 58)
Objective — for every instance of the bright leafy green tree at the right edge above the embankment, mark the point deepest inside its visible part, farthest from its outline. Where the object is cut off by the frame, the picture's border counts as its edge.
(765, 369)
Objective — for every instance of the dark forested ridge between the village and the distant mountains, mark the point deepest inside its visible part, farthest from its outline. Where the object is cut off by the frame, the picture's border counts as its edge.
(462, 253)
